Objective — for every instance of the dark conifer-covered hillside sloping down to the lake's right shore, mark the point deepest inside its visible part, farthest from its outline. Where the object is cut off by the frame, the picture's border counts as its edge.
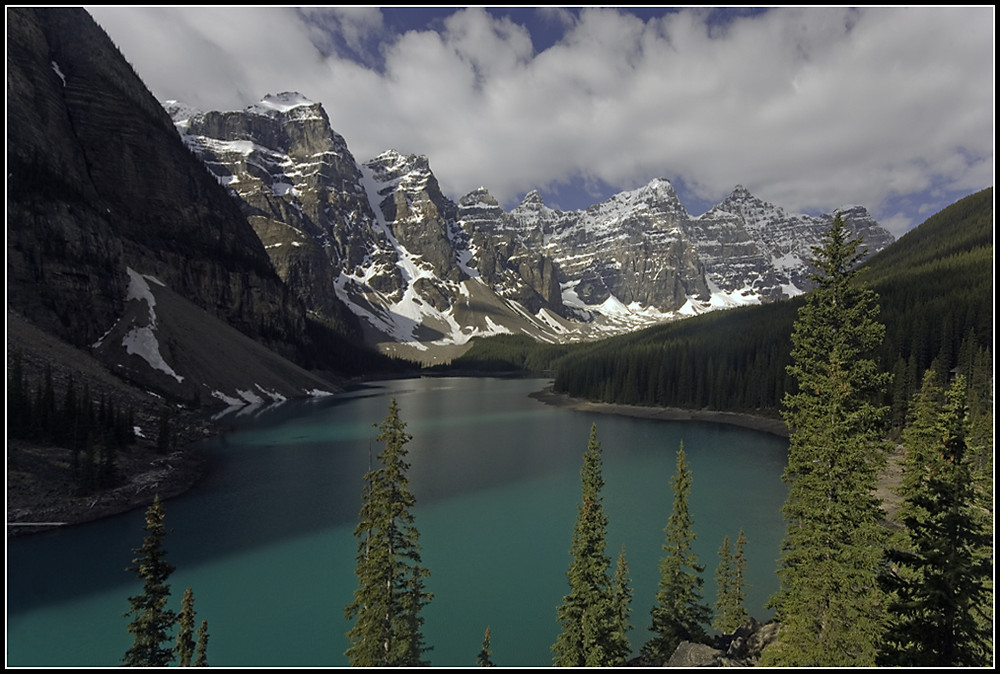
(935, 288)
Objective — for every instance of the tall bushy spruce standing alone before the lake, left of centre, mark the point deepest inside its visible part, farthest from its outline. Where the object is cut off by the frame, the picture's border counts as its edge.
(387, 629)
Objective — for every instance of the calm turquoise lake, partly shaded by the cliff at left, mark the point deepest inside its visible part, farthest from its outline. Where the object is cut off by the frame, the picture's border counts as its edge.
(266, 539)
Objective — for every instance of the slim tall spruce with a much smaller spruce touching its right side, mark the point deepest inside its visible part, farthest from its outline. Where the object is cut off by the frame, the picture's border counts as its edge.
(588, 614)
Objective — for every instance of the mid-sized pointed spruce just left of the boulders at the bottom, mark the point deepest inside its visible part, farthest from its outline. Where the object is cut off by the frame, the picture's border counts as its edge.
(678, 614)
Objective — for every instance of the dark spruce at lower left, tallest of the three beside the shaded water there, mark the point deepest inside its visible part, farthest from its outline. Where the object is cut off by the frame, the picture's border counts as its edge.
(152, 620)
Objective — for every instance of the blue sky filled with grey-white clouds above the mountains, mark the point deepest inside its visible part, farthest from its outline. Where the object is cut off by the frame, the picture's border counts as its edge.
(809, 108)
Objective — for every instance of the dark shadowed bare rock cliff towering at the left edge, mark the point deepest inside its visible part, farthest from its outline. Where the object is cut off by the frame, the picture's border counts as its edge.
(101, 188)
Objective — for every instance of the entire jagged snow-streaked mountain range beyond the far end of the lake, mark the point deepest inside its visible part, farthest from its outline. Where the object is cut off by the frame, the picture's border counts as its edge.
(380, 241)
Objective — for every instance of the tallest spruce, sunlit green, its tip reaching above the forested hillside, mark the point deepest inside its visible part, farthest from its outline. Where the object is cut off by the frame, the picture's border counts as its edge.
(829, 603)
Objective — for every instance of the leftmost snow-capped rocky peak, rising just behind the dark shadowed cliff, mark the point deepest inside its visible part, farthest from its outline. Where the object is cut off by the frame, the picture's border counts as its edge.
(299, 187)
